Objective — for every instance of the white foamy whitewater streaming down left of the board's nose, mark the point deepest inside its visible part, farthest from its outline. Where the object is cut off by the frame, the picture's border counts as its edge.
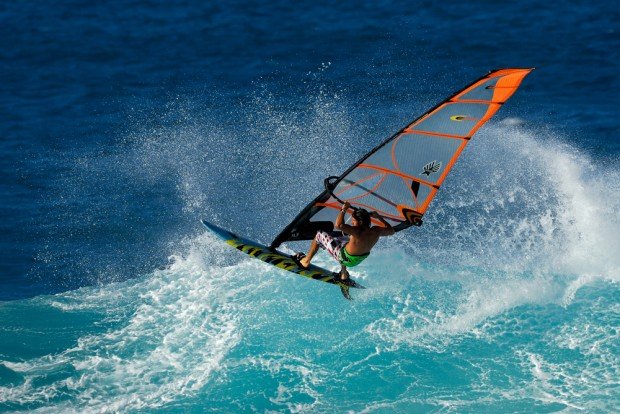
(153, 340)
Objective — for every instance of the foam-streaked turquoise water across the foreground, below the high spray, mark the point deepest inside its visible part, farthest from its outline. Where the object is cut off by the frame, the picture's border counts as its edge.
(205, 337)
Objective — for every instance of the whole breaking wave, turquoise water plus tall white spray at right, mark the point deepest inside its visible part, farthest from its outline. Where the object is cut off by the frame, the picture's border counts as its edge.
(505, 300)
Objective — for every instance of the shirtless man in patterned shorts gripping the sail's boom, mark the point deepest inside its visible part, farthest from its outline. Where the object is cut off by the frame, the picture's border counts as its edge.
(349, 250)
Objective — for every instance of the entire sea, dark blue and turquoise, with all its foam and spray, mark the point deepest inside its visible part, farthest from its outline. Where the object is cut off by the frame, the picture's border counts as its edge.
(124, 123)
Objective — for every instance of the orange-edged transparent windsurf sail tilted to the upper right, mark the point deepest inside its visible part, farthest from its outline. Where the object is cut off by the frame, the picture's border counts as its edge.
(400, 177)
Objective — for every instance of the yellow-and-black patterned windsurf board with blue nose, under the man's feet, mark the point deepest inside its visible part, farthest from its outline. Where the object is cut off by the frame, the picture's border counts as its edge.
(280, 260)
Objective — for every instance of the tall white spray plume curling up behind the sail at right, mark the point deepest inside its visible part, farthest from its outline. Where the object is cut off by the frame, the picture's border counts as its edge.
(527, 220)
